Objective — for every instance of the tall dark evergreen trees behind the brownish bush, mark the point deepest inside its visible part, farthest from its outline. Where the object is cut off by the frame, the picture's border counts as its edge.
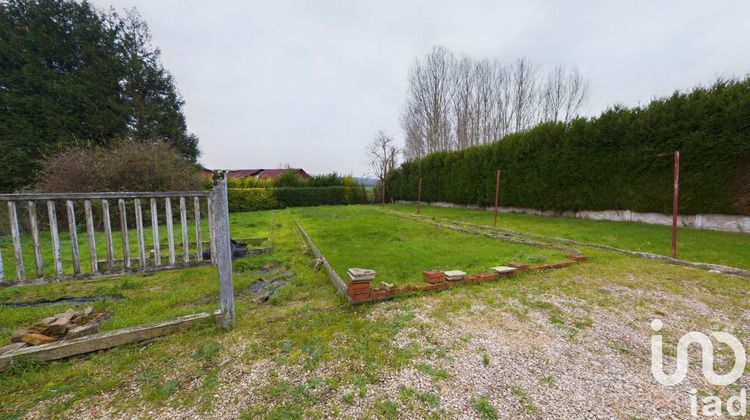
(73, 75)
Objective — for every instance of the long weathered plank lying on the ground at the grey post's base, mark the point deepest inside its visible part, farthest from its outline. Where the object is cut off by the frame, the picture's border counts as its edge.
(103, 340)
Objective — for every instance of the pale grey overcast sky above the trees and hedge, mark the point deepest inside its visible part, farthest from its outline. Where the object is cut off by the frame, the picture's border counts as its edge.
(309, 83)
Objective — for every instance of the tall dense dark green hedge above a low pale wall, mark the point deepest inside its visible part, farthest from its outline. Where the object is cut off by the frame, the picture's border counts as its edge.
(609, 162)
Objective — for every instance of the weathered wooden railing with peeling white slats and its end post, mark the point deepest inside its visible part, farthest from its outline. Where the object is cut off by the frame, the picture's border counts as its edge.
(218, 222)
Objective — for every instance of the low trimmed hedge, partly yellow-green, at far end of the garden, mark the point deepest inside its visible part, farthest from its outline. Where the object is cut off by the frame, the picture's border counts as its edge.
(254, 199)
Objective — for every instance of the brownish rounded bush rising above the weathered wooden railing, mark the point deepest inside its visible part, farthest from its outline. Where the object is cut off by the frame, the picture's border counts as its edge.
(126, 166)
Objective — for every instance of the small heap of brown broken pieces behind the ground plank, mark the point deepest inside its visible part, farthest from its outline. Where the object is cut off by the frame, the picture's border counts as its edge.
(67, 325)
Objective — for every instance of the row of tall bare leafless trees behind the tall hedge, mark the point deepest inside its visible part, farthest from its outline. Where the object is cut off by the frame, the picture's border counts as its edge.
(454, 103)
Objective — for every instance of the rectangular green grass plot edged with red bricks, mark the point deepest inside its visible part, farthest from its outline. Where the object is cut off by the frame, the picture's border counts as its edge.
(400, 250)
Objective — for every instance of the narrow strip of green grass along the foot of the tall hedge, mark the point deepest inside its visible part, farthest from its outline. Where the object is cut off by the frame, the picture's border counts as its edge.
(725, 248)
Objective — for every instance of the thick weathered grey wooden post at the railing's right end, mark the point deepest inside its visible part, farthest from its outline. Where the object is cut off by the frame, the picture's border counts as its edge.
(223, 248)
